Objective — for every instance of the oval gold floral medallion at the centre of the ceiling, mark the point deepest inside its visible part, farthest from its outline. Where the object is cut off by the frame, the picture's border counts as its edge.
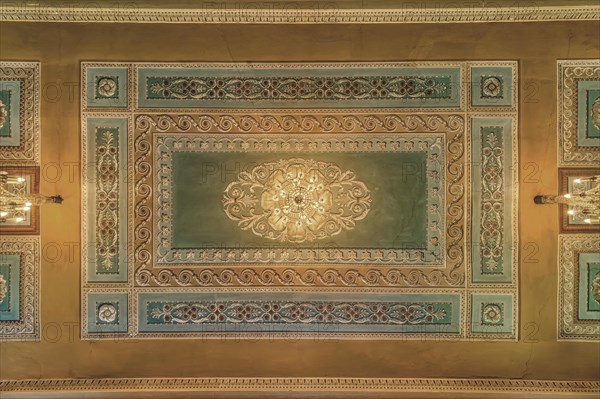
(297, 200)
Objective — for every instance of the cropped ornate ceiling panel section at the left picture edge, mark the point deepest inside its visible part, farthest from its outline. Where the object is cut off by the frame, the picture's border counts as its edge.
(19, 235)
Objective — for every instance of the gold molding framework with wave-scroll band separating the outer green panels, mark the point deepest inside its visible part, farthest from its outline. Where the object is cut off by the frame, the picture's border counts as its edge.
(145, 276)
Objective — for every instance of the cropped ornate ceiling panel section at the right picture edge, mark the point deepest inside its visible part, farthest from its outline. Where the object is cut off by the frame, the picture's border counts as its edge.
(579, 158)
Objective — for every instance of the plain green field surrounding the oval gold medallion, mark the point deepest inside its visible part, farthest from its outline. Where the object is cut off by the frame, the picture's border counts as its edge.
(397, 216)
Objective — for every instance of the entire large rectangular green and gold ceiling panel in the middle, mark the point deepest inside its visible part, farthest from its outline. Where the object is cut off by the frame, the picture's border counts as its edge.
(352, 200)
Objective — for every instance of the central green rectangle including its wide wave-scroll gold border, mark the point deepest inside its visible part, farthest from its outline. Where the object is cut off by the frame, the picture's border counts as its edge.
(244, 208)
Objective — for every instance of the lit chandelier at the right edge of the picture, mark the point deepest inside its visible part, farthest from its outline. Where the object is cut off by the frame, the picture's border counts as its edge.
(583, 202)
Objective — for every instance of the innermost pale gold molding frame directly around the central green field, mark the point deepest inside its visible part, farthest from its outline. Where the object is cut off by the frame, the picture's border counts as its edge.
(165, 145)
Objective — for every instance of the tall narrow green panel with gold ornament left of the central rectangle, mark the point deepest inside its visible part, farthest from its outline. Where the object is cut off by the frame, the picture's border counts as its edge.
(105, 194)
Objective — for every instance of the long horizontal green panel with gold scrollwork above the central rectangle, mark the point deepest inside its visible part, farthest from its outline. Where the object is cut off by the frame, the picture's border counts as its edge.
(376, 85)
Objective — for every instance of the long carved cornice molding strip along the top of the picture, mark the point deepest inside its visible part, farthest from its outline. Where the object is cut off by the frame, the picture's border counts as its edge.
(238, 13)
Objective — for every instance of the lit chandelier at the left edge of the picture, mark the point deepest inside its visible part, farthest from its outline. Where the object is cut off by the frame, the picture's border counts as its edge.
(15, 202)
